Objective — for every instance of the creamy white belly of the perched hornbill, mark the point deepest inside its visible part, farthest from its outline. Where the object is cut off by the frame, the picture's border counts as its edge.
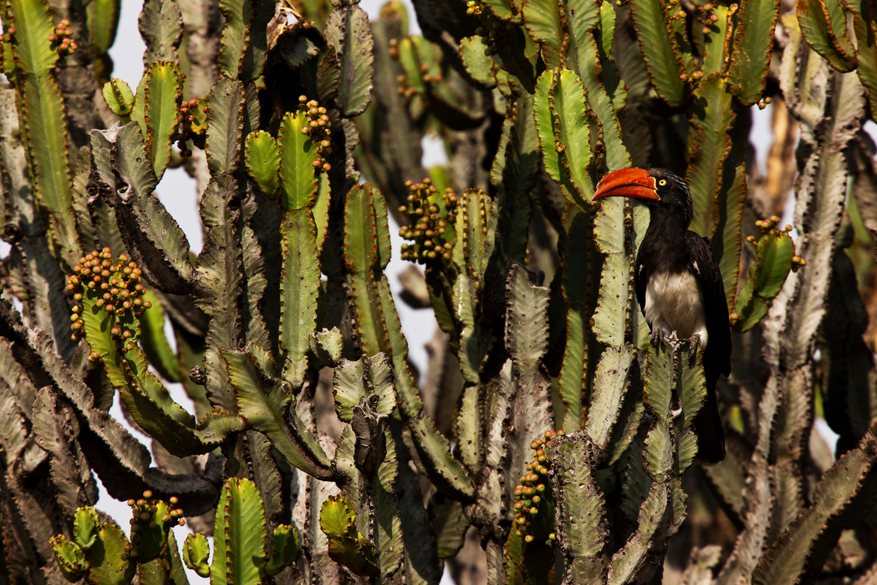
(674, 303)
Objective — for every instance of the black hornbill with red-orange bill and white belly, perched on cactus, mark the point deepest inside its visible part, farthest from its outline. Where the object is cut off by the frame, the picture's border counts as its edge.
(679, 285)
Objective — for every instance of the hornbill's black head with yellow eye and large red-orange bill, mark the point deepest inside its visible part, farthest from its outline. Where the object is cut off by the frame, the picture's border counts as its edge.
(660, 190)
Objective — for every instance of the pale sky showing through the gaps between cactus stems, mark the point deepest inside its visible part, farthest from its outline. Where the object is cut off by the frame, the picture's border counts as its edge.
(177, 192)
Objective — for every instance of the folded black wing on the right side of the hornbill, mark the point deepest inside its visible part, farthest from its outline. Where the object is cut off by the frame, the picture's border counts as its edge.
(709, 278)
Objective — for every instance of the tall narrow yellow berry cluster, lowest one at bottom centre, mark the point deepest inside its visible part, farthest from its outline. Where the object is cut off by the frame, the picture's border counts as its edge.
(534, 498)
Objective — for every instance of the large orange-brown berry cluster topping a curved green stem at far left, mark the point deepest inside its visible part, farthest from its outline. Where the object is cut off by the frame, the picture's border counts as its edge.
(117, 290)
